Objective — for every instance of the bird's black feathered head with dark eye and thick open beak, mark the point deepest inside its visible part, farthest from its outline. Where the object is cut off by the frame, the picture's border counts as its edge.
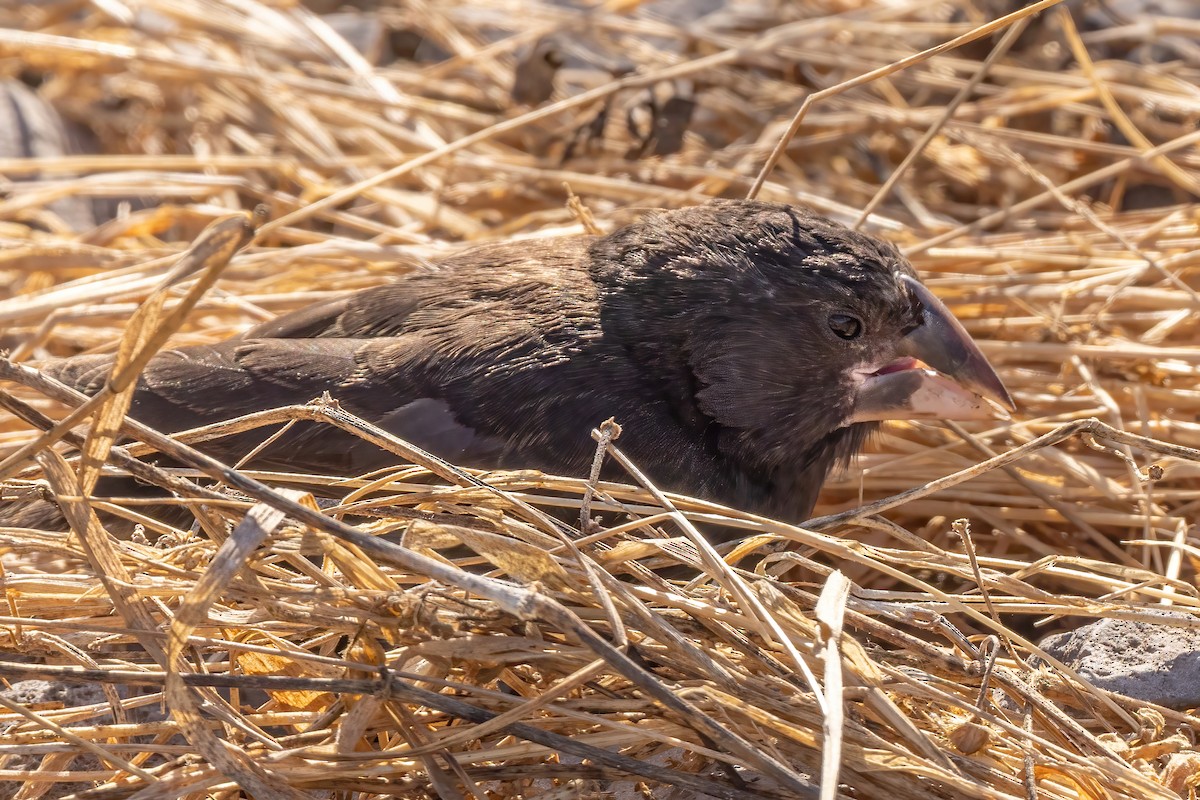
(796, 335)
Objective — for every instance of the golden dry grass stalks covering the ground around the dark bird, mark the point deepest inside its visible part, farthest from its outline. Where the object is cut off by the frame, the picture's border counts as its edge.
(304, 654)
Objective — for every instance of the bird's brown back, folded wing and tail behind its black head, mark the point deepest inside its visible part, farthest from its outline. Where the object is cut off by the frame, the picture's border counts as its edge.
(497, 362)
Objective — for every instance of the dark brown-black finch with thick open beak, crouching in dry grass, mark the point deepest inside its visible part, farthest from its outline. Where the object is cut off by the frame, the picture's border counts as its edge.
(746, 348)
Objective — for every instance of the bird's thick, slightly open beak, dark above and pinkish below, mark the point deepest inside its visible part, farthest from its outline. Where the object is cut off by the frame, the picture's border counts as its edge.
(940, 374)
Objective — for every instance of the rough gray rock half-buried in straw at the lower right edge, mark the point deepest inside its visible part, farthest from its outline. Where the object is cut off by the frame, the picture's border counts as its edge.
(1148, 661)
